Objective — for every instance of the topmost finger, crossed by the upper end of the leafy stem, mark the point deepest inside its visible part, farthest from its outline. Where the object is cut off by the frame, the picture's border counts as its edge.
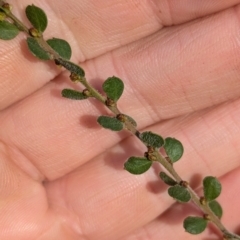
(90, 35)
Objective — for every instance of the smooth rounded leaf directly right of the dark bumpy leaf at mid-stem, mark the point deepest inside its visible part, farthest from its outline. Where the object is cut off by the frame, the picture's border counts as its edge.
(173, 148)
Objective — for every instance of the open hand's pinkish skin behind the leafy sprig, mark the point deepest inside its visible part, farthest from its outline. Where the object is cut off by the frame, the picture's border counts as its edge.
(62, 175)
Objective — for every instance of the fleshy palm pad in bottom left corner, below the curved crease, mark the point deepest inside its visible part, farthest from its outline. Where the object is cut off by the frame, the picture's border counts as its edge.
(19, 216)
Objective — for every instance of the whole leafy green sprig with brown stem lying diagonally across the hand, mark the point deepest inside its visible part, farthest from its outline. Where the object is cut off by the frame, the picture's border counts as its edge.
(156, 149)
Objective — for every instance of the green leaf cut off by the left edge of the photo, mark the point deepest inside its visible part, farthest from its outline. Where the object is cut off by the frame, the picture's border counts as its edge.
(8, 31)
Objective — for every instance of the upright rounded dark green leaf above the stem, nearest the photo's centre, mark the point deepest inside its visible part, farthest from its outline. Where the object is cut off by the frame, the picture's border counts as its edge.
(113, 87)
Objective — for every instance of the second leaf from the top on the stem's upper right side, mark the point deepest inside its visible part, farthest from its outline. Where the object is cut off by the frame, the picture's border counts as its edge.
(61, 46)
